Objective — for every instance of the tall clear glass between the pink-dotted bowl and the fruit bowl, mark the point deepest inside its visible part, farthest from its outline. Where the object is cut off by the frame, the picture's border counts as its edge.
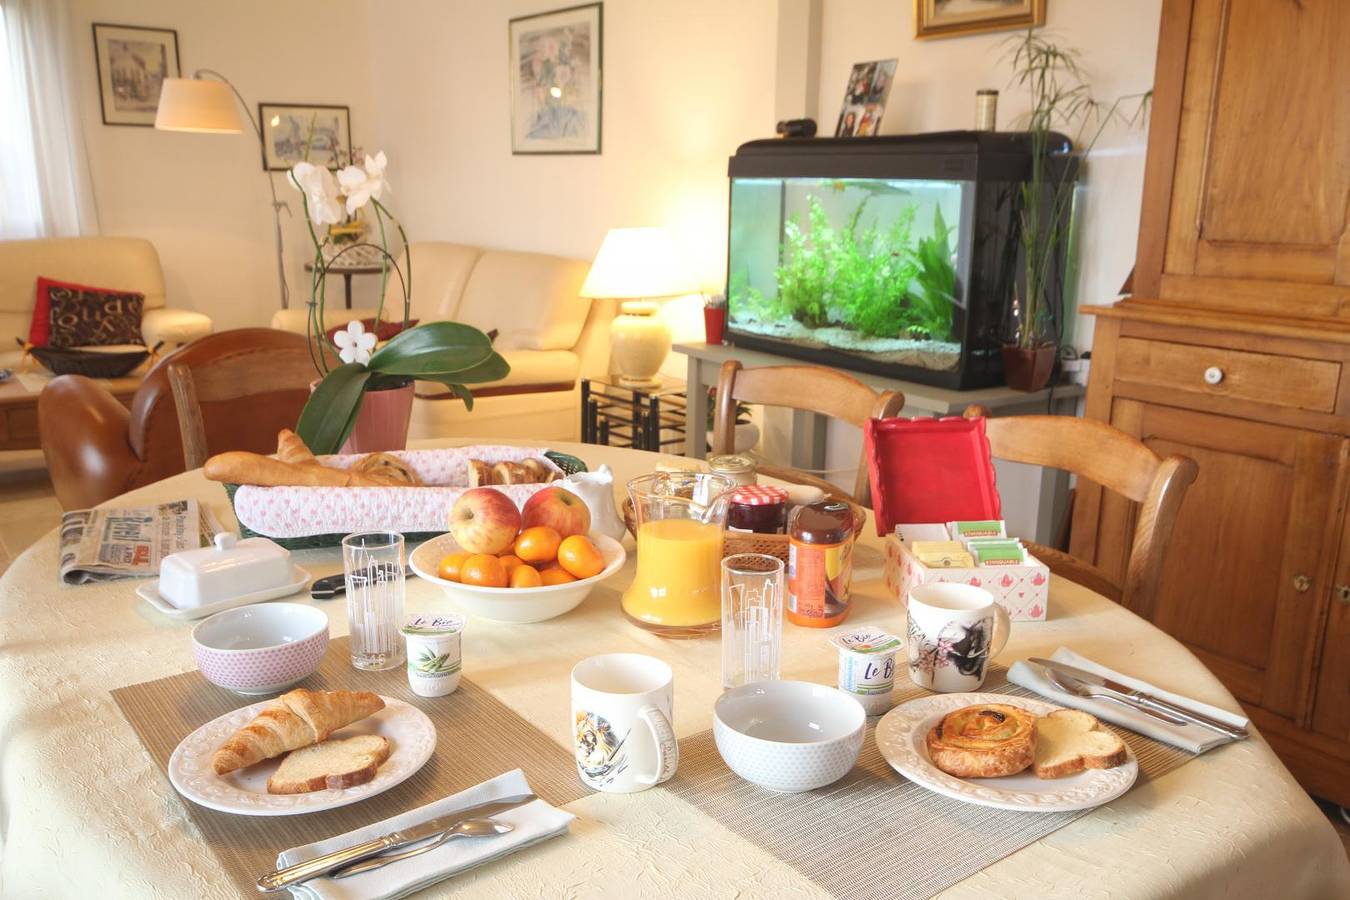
(375, 566)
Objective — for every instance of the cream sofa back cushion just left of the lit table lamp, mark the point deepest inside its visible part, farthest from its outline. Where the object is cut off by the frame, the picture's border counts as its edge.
(531, 299)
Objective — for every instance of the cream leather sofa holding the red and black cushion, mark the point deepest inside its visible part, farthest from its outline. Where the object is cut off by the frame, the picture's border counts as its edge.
(119, 264)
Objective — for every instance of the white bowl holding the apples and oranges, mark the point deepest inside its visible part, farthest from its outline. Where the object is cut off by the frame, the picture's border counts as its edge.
(514, 604)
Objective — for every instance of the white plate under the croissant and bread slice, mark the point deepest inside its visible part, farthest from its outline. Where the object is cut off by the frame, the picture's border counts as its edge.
(411, 735)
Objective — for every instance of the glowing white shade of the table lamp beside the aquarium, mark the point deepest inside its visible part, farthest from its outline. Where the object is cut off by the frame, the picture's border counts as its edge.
(638, 262)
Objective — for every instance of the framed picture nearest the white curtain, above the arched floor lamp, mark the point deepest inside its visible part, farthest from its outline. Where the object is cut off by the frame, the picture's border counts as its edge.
(133, 64)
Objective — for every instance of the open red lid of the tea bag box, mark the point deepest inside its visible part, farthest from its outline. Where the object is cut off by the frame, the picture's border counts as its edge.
(929, 470)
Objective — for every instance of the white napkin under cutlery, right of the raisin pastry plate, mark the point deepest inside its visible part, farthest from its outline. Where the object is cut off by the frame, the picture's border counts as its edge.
(1189, 737)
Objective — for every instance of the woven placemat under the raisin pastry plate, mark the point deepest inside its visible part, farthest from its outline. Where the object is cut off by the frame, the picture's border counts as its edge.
(875, 833)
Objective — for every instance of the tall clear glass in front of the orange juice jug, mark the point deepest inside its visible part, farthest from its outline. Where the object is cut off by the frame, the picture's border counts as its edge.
(753, 619)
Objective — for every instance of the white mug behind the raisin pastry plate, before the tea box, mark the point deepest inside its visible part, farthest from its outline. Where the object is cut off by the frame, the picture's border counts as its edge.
(955, 631)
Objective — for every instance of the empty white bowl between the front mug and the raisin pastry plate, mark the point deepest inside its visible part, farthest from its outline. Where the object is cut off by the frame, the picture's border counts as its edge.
(789, 736)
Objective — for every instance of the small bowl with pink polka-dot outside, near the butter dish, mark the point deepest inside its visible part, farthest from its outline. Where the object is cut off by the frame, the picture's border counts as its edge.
(263, 648)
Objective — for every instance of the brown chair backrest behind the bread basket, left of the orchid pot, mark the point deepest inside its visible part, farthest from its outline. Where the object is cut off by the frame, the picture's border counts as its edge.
(238, 389)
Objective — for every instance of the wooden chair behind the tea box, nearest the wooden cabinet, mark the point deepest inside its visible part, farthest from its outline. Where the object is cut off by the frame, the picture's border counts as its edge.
(1120, 463)
